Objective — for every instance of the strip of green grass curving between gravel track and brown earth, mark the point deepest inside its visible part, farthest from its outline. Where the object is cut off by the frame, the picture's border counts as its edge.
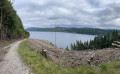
(39, 65)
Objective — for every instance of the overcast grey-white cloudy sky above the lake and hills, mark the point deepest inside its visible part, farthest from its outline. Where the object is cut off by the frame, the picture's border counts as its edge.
(104, 14)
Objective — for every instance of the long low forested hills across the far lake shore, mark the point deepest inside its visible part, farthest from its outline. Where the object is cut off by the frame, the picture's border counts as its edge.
(90, 31)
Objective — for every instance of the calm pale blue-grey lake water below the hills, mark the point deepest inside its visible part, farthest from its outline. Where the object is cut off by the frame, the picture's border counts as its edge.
(62, 39)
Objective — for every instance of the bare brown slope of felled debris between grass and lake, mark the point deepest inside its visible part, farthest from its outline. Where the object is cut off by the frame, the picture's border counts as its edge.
(73, 58)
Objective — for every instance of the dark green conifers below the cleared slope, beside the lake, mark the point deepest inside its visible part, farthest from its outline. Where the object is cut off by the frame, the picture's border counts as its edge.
(99, 42)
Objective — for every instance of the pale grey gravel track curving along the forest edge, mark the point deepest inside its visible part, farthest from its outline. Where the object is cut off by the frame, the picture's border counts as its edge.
(12, 63)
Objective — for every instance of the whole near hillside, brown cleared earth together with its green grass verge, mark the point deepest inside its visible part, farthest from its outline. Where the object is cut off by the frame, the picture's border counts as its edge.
(46, 59)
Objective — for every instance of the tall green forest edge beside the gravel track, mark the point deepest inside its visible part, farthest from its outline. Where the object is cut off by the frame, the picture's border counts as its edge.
(11, 26)
